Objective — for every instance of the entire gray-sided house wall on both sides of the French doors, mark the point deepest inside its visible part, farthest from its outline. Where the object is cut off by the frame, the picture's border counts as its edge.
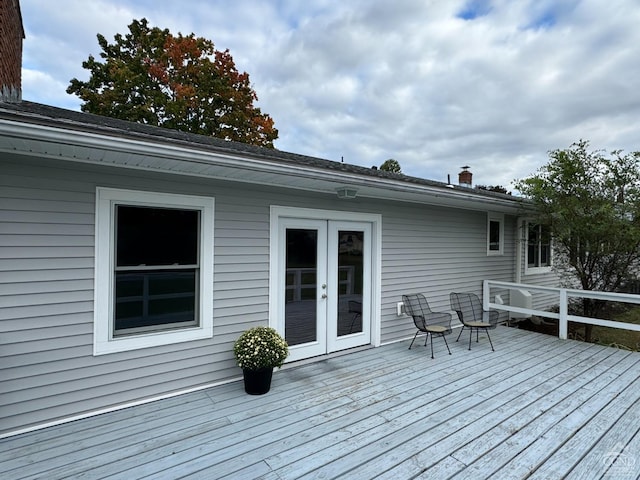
(47, 216)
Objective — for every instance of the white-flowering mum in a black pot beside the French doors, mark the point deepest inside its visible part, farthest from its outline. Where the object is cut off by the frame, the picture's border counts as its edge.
(258, 350)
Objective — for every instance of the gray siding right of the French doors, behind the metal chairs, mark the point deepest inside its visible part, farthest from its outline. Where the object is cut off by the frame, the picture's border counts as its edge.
(435, 251)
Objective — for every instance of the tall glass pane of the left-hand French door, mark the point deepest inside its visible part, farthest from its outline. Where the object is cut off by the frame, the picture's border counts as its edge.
(301, 286)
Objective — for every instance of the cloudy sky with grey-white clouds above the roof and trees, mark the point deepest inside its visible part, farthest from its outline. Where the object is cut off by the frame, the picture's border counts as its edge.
(434, 84)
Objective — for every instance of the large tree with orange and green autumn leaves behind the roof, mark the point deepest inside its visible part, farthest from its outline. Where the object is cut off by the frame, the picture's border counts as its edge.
(181, 82)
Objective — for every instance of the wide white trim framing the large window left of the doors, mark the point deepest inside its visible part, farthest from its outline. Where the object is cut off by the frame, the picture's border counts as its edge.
(103, 340)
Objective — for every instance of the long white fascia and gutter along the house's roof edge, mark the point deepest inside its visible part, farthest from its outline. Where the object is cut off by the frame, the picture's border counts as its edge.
(376, 187)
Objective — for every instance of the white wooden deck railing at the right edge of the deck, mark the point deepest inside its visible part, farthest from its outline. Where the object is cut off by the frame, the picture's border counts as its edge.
(563, 295)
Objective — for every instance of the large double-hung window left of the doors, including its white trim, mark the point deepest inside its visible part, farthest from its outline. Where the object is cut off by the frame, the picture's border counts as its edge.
(154, 274)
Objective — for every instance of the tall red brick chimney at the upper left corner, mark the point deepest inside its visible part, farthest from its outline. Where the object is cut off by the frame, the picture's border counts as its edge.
(11, 36)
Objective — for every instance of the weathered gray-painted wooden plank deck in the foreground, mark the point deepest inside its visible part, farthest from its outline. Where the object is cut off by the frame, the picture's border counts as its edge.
(538, 408)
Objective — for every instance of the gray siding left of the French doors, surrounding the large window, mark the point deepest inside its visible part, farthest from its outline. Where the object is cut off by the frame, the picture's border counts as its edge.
(46, 294)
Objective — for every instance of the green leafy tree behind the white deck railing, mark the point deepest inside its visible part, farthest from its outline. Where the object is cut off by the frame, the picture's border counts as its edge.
(592, 203)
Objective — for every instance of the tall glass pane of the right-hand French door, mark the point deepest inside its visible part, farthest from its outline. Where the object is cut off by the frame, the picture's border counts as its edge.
(350, 281)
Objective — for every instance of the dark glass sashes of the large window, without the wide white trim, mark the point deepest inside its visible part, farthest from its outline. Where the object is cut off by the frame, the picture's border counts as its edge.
(156, 268)
